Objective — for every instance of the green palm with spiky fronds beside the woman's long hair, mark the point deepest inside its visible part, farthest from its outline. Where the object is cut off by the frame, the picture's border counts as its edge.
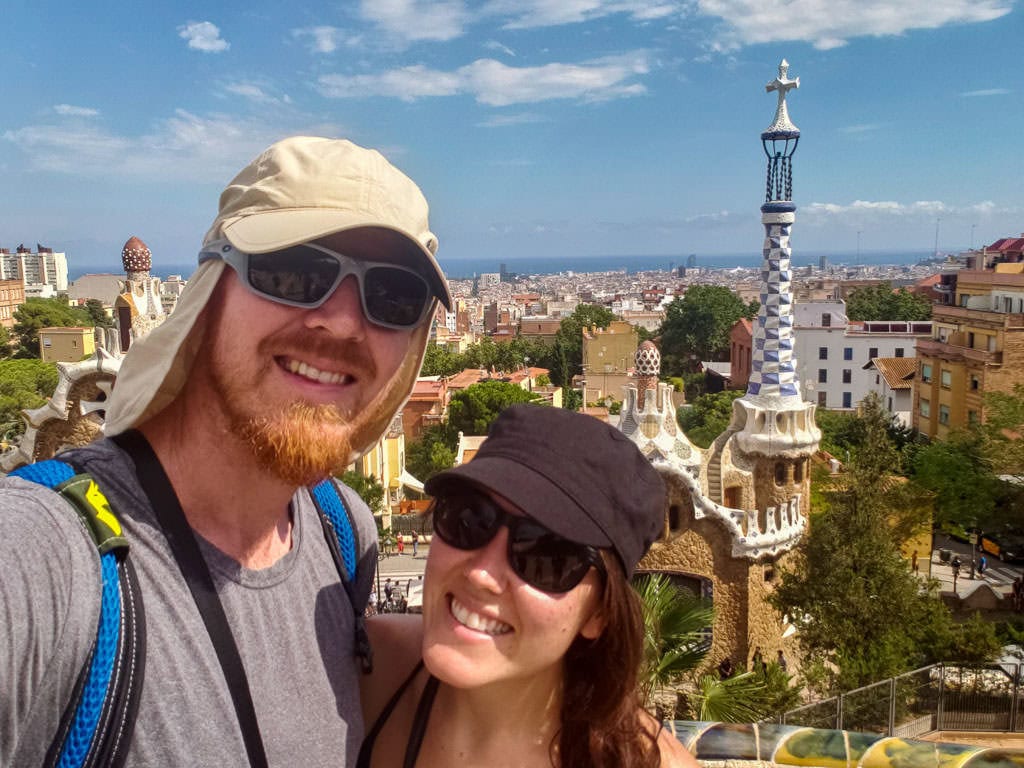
(676, 645)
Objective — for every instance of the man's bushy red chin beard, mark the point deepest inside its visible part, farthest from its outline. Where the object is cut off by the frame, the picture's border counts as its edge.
(303, 445)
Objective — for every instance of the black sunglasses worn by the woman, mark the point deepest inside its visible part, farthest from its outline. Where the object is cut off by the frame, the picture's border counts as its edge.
(542, 559)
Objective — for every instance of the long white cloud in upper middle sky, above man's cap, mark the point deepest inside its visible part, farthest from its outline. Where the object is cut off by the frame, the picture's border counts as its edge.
(494, 83)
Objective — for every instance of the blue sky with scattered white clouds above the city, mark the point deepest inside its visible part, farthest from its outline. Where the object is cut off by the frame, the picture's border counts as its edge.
(552, 129)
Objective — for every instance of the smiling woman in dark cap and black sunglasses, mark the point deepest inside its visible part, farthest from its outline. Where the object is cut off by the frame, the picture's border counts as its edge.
(532, 636)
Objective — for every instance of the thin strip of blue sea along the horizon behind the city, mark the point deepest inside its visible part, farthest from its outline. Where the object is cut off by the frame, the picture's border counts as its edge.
(465, 269)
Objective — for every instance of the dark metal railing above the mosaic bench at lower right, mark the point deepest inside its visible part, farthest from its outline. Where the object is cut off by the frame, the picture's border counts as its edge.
(943, 697)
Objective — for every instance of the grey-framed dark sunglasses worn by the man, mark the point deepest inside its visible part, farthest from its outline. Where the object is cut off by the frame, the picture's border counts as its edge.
(308, 275)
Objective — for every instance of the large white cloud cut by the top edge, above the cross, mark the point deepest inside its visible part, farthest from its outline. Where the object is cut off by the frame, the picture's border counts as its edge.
(830, 24)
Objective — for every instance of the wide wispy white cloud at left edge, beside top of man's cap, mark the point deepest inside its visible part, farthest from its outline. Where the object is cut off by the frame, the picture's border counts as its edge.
(182, 147)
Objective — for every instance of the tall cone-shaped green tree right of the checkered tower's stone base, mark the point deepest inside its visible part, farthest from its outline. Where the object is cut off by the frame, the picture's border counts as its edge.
(847, 567)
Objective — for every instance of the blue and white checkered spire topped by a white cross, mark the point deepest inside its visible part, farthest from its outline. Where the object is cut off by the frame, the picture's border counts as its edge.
(774, 369)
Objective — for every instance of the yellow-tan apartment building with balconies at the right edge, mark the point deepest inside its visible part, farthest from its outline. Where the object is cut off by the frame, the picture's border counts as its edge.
(977, 347)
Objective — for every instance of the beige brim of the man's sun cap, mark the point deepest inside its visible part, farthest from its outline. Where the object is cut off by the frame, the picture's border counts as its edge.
(270, 231)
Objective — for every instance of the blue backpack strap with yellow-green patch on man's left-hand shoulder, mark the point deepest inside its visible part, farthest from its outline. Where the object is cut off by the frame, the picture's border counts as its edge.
(97, 726)
